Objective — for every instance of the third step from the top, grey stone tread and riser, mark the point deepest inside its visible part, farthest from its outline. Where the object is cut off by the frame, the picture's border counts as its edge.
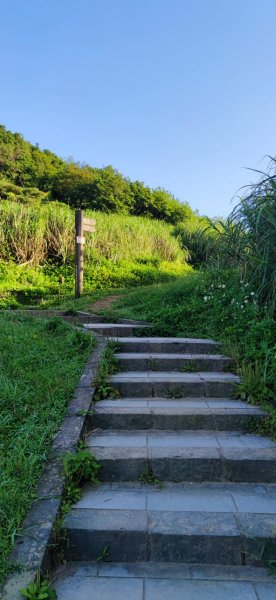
(158, 361)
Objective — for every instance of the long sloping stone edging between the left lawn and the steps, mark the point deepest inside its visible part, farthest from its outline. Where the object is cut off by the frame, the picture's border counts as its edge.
(33, 552)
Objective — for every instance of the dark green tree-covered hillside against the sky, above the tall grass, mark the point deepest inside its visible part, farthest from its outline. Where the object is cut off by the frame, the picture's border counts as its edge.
(31, 175)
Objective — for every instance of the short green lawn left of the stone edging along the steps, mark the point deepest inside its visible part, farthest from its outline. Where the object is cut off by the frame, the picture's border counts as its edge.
(40, 365)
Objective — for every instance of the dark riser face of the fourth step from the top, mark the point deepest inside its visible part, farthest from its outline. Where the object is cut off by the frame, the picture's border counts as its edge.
(211, 389)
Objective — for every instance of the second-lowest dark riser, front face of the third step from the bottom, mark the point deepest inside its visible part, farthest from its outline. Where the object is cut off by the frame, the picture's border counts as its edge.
(188, 469)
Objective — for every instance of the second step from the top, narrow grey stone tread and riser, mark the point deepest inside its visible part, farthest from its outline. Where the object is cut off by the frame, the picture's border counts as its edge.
(168, 345)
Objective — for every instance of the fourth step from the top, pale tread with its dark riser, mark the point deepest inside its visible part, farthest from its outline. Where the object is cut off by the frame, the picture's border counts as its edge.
(174, 384)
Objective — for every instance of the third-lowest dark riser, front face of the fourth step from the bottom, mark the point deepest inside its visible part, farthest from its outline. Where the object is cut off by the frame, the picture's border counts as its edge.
(171, 422)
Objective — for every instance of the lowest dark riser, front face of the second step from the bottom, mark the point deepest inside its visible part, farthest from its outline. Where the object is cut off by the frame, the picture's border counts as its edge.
(133, 546)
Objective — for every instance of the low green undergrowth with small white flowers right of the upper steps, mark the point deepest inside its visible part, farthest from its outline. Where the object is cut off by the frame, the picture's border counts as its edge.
(218, 304)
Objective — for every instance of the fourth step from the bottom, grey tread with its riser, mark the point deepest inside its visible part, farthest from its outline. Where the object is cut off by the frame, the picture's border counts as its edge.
(122, 414)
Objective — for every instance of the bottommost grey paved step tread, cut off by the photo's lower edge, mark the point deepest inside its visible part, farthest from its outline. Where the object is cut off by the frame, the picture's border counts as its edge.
(160, 581)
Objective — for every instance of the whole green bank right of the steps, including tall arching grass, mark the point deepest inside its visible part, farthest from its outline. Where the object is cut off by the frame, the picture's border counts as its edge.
(235, 305)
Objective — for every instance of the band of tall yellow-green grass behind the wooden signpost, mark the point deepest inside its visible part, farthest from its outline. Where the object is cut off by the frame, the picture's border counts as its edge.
(37, 234)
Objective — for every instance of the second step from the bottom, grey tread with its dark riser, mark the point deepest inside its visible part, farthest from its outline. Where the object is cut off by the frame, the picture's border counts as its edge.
(226, 525)
